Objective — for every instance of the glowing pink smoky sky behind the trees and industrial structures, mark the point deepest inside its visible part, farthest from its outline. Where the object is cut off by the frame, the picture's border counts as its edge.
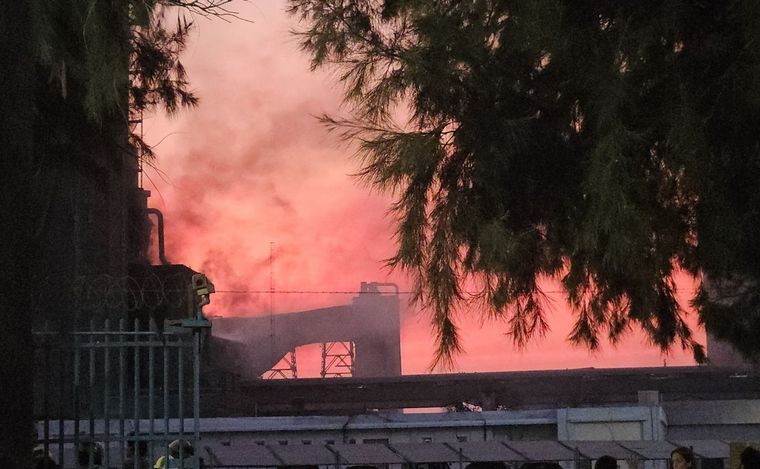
(252, 170)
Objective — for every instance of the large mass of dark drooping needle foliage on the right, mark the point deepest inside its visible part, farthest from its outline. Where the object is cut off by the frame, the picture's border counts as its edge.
(608, 145)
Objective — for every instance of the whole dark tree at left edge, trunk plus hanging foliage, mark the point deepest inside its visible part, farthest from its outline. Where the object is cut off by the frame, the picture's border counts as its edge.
(73, 72)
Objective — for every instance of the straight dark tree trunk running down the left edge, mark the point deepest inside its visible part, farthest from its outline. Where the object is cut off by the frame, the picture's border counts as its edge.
(16, 232)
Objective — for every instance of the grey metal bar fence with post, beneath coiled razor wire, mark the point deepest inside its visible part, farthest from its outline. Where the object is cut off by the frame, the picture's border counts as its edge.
(118, 393)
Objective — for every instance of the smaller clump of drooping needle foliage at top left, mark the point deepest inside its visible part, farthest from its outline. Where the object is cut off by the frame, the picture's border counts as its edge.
(117, 60)
